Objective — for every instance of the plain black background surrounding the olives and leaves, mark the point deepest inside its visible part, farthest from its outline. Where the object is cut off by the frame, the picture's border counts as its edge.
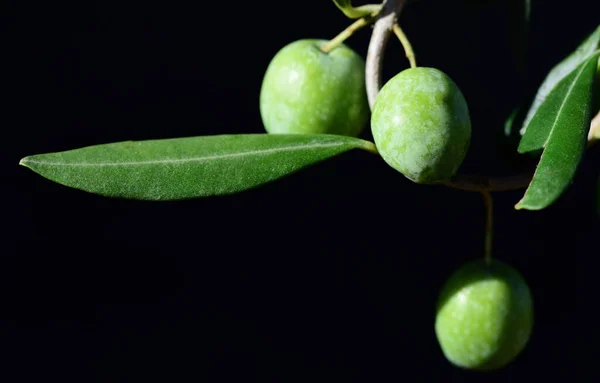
(328, 275)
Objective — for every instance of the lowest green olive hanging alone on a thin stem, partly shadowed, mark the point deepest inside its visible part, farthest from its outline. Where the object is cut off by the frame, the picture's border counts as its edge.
(484, 316)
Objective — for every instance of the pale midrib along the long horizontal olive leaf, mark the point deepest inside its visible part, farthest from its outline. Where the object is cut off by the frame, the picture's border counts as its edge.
(26, 161)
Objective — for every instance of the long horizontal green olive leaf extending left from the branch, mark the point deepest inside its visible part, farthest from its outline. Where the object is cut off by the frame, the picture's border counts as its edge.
(185, 168)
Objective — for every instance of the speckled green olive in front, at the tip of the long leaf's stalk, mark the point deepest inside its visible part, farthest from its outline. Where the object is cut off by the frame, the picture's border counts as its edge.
(421, 125)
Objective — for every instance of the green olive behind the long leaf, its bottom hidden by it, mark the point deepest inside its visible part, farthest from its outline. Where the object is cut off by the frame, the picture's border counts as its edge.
(305, 90)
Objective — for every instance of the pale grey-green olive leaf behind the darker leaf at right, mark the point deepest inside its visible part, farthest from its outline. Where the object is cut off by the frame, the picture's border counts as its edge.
(583, 52)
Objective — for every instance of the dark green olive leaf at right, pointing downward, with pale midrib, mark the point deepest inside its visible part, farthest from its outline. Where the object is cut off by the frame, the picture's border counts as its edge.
(560, 126)
